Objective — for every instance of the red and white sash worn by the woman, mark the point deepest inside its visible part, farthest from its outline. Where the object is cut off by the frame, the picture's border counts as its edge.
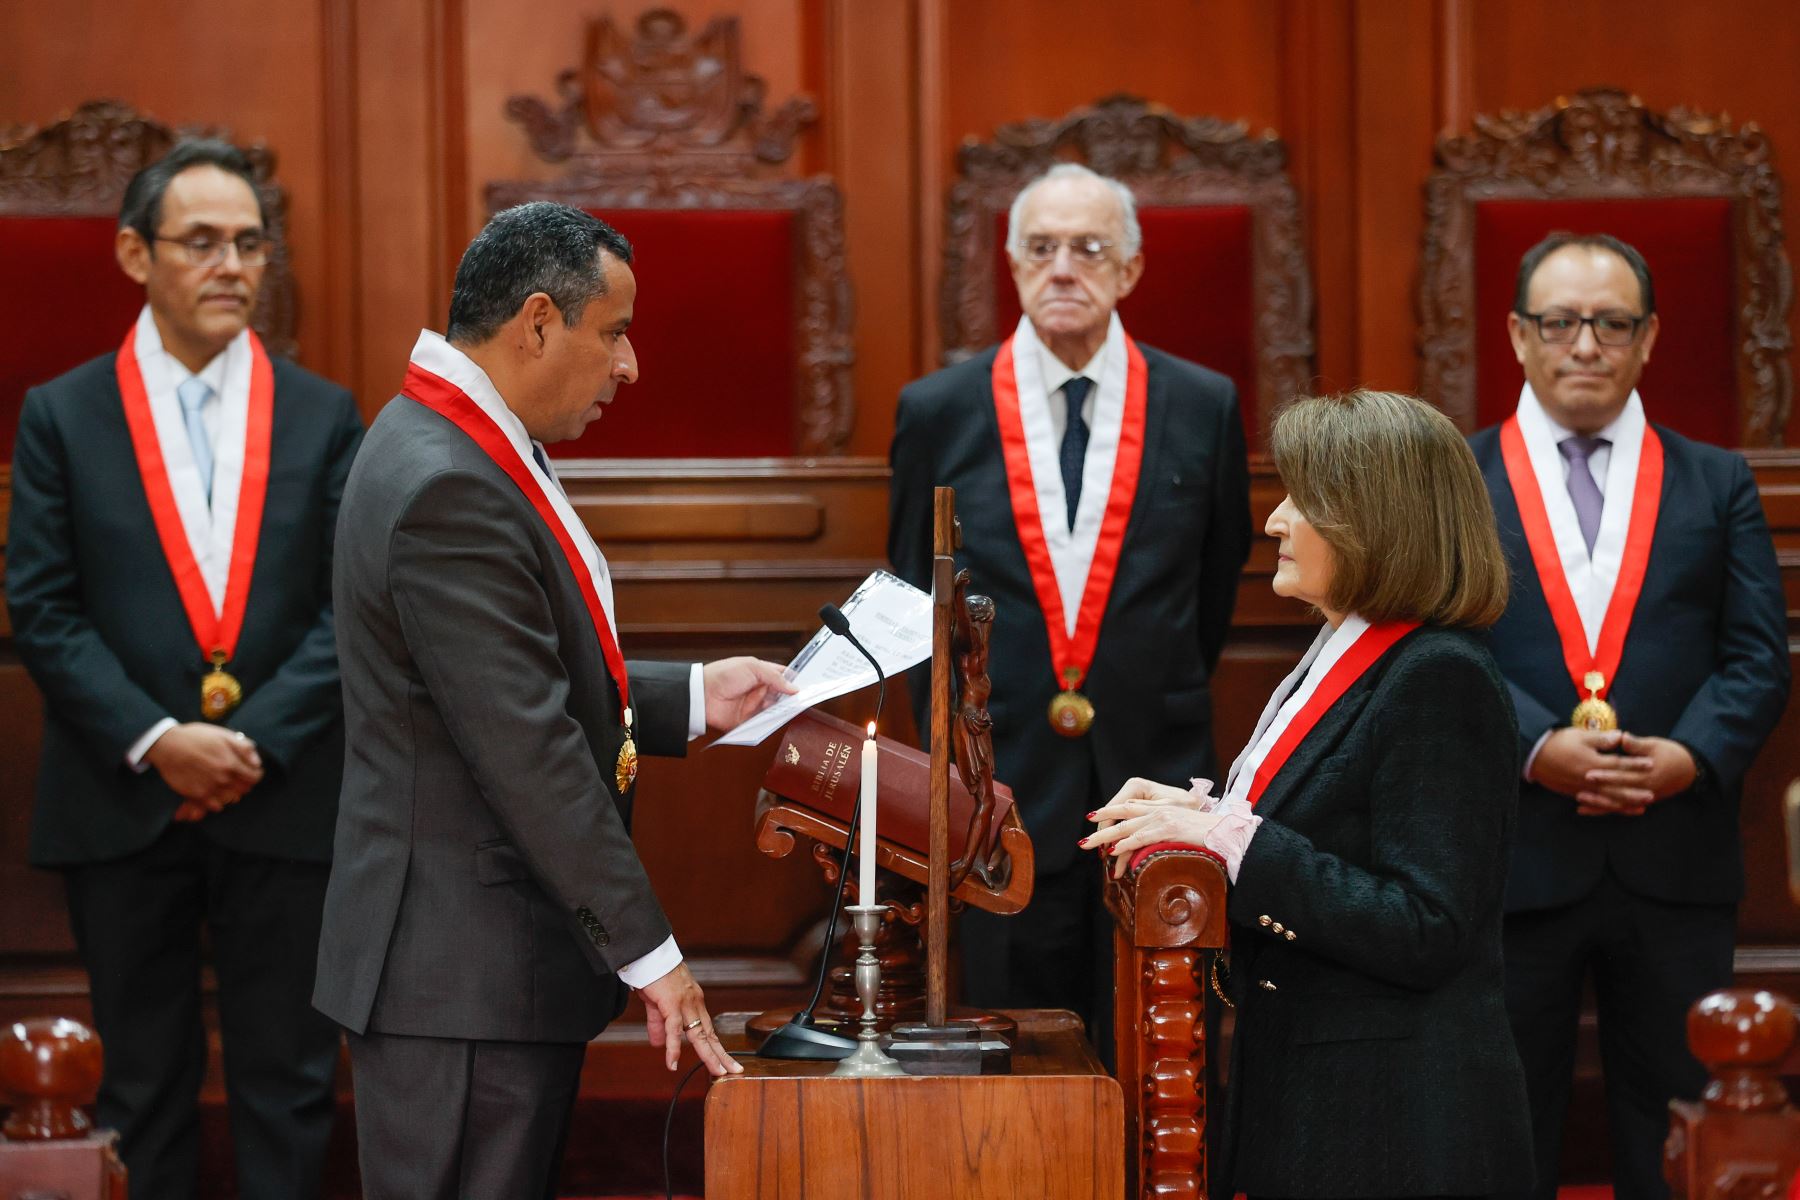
(1338, 659)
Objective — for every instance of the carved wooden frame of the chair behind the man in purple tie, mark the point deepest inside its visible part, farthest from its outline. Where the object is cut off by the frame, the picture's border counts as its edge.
(1606, 145)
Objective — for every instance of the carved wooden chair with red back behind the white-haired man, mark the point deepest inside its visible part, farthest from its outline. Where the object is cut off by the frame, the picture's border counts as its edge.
(1225, 282)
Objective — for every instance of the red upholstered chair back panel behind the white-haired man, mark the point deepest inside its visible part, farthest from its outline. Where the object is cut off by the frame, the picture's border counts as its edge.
(1194, 300)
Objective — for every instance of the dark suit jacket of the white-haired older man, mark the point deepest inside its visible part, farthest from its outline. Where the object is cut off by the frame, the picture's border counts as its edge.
(1165, 622)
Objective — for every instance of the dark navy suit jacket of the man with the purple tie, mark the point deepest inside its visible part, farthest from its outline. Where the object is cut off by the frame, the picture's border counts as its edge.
(1705, 665)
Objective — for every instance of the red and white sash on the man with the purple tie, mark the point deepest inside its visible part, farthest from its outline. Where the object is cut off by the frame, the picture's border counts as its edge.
(1588, 645)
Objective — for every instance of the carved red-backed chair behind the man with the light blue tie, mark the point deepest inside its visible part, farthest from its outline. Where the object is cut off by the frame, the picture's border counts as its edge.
(62, 296)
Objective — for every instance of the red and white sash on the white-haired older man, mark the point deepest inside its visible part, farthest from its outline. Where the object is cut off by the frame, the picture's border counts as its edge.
(1072, 643)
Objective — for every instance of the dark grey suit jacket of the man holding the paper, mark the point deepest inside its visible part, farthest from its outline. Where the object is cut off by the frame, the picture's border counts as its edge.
(485, 882)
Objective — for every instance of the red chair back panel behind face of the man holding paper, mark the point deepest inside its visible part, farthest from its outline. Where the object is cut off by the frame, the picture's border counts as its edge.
(714, 328)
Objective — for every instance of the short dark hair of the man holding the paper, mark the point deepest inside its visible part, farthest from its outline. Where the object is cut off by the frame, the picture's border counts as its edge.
(534, 247)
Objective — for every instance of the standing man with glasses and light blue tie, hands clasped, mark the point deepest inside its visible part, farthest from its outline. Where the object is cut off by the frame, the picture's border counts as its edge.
(170, 586)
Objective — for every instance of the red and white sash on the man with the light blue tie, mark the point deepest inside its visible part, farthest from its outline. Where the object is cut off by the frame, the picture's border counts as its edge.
(215, 625)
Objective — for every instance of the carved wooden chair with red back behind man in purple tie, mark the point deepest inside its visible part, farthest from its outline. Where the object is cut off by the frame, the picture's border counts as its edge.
(1700, 201)
